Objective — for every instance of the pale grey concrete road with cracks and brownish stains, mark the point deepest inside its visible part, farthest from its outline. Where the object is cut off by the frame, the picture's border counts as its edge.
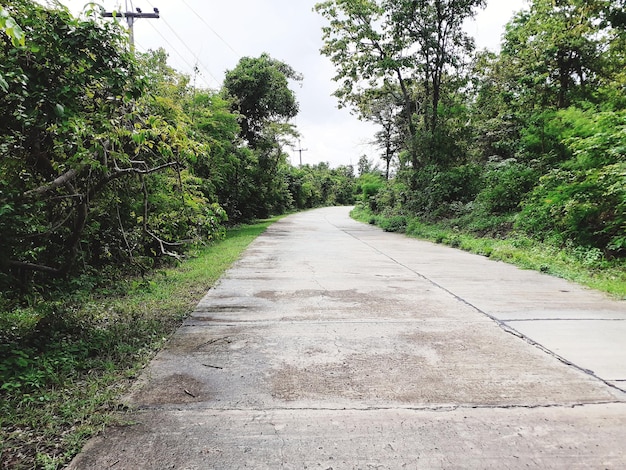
(333, 345)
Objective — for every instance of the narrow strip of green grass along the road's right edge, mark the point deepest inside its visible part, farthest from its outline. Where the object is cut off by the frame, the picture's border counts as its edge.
(582, 265)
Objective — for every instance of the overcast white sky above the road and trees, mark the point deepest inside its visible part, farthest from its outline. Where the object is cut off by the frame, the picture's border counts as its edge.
(214, 34)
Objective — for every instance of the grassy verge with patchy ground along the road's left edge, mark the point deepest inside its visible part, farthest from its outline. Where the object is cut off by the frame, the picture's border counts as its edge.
(64, 364)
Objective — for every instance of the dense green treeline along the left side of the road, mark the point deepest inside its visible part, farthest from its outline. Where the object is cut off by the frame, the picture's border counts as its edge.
(111, 160)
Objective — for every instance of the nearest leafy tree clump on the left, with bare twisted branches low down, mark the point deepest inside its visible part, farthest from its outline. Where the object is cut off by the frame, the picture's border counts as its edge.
(92, 168)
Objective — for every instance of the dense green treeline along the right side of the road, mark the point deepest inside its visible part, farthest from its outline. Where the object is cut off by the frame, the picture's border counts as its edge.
(532, 139)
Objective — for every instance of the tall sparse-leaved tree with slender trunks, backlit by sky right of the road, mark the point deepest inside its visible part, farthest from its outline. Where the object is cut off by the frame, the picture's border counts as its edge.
(412, 44)
